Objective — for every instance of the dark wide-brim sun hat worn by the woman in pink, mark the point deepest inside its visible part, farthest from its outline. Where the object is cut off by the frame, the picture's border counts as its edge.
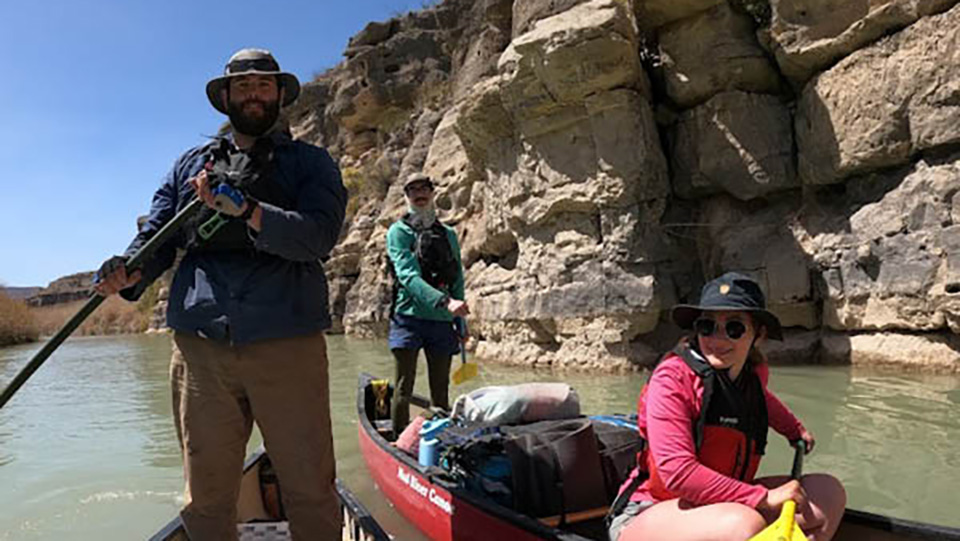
(730, 292)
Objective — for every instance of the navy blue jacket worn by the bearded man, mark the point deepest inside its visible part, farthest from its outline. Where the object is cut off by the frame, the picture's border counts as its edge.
(277, 291)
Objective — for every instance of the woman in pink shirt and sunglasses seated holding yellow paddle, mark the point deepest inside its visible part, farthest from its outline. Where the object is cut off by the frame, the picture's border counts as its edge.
(704, 414)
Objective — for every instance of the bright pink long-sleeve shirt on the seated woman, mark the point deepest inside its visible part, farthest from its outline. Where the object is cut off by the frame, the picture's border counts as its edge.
(667, 411)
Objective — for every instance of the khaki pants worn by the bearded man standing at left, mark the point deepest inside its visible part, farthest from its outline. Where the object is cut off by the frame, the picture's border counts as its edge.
(219, 390)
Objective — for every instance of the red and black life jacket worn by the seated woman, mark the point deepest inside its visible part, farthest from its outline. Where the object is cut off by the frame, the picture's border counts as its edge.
(731, 432)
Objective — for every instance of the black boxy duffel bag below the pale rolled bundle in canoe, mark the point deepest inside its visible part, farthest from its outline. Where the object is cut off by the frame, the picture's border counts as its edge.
(556, 467)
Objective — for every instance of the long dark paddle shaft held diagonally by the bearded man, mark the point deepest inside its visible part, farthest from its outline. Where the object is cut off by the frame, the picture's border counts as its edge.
(144, 253)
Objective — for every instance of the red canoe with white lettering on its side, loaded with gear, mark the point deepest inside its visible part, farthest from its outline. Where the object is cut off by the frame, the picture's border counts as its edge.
(445, 512)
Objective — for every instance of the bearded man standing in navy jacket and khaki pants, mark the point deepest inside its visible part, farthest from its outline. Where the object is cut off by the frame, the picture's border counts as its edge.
(248, 304)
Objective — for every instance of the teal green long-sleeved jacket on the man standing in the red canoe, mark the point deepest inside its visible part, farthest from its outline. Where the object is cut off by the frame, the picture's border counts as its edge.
(415, 297)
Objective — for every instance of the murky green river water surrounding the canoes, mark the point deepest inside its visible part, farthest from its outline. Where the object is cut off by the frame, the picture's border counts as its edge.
(88, 450)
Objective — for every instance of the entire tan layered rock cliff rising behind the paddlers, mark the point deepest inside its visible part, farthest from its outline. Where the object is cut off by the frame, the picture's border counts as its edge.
(601, 158)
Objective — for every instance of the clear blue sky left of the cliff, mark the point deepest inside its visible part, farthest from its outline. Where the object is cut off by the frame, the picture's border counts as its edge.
(99, 97)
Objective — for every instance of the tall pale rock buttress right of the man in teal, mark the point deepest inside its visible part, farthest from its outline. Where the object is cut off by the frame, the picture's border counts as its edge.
(575, 180)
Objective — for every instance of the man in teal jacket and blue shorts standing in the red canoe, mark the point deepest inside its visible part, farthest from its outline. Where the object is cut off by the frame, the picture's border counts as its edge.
(428, 294)
